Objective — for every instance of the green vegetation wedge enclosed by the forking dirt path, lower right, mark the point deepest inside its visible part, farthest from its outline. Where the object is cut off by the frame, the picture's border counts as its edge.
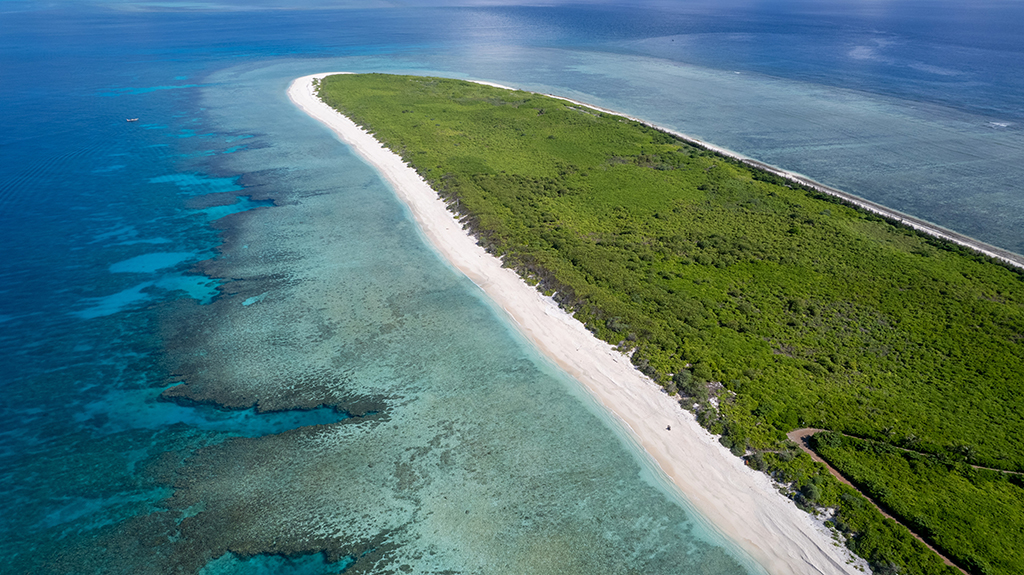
(971, 514)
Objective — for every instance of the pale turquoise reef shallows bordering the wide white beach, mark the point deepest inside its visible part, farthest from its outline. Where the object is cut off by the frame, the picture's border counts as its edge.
(480, 458)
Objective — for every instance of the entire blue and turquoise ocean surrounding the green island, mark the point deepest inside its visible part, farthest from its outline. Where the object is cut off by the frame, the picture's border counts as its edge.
(229, 350)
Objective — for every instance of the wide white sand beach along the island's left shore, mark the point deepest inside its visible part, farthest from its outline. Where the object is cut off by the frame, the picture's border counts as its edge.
(741, 503)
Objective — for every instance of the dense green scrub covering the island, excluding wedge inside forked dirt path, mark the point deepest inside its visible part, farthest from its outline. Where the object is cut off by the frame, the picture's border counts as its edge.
(766, 305)
